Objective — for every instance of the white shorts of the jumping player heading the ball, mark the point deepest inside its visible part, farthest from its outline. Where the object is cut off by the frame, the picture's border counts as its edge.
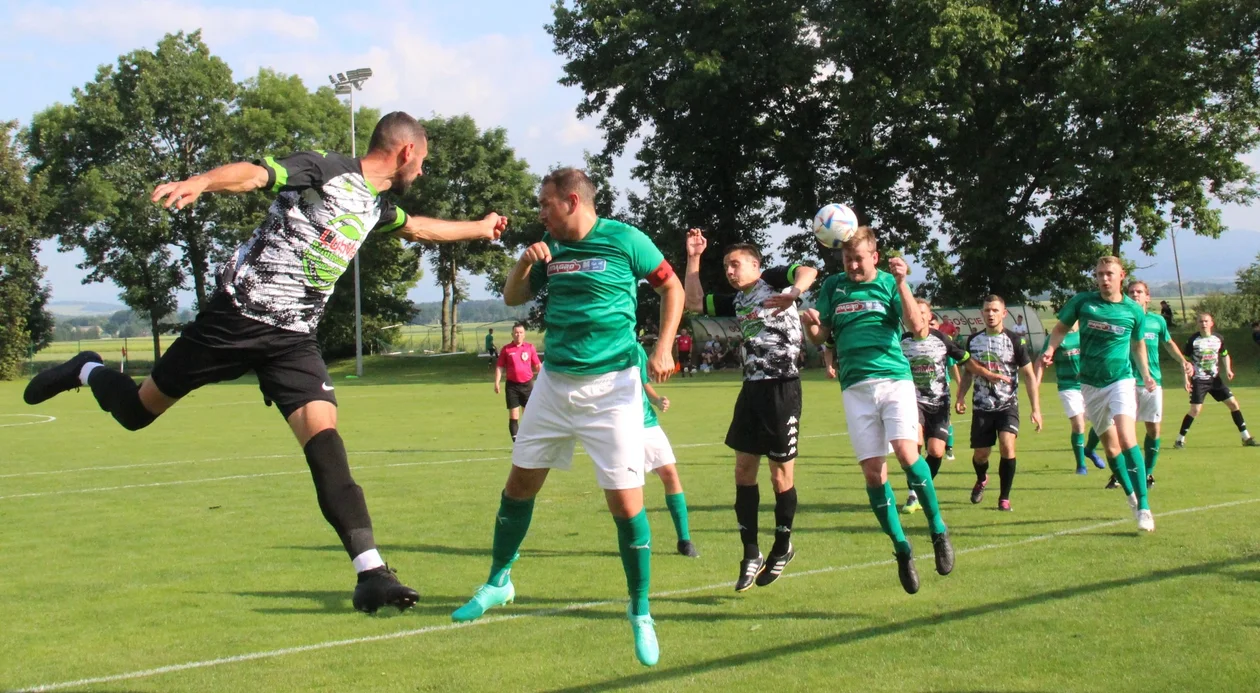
(879, 413)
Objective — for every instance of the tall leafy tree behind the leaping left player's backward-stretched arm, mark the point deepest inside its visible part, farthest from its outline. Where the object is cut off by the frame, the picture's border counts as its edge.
(157, 115)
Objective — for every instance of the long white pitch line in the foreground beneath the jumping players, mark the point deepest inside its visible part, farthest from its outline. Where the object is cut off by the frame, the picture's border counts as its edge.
(331, 644)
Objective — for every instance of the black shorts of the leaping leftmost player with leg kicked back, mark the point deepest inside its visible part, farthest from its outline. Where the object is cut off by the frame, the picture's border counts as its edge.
(222, 346)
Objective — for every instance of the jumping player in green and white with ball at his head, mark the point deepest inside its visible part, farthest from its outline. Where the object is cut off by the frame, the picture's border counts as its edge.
(864, 308)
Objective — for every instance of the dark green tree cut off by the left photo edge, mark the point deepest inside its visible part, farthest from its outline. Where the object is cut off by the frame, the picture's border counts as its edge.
(25, 322)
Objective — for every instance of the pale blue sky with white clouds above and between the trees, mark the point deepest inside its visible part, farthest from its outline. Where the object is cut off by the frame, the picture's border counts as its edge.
(488, 59)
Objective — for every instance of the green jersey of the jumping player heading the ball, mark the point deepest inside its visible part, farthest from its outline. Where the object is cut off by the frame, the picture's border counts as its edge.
(866, 323)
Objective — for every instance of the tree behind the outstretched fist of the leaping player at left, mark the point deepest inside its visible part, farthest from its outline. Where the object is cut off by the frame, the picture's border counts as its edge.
(469, 173)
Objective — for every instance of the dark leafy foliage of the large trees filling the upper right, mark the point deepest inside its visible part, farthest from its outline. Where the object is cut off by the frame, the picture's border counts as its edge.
(1021, 133)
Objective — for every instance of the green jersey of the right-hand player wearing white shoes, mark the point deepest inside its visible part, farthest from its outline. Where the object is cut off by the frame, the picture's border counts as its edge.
(1108, 333)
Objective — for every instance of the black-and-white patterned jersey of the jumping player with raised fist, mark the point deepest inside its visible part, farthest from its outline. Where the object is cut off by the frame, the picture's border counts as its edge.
(772, 343)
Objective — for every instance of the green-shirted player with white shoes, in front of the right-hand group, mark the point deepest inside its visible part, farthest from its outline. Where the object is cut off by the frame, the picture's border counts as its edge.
(1112, 348)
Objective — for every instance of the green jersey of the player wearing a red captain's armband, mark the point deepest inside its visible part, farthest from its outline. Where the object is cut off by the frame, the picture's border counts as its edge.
(592, 298)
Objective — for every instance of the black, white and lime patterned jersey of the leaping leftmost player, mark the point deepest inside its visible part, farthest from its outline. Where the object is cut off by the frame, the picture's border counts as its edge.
(284, 275)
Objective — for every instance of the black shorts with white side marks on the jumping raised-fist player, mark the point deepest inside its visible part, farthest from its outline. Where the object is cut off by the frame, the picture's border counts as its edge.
(767, 420)
